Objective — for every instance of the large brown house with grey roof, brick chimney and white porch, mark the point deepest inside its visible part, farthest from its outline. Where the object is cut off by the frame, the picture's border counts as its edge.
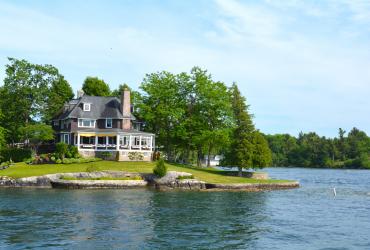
(103, 126)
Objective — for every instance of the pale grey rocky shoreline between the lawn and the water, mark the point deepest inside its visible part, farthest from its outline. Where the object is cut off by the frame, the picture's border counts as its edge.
(172, 181)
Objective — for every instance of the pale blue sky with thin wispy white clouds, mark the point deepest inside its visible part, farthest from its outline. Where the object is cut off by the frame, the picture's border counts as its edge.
(302, 65)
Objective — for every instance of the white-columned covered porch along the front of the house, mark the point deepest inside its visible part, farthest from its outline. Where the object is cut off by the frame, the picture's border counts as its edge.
(115, 142)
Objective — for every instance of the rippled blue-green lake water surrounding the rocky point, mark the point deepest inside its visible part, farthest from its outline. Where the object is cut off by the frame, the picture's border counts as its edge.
(306, 218)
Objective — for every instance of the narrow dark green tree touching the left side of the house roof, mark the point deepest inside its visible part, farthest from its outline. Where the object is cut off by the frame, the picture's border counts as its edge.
(60, 92)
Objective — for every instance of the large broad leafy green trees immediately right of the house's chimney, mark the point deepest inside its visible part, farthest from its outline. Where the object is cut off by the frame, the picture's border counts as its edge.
(188, 112)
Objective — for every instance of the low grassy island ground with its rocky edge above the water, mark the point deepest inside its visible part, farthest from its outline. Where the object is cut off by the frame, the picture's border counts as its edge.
(112, 174)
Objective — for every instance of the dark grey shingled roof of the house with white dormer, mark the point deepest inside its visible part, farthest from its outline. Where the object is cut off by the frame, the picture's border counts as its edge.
(101, 107)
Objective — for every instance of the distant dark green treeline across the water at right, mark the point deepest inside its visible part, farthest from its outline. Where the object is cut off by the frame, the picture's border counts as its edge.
(350, 150)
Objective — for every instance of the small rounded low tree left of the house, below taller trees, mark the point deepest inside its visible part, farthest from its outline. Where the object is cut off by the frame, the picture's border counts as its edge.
(36, 134)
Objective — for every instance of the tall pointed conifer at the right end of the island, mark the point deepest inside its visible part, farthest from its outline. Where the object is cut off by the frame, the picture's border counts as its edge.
(248, 147)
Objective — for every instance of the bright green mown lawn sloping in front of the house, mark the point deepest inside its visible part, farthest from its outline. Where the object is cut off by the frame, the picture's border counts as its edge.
(209, 175)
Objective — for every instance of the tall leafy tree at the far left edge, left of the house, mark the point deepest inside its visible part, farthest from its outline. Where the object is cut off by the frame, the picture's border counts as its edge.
(25, 94)
